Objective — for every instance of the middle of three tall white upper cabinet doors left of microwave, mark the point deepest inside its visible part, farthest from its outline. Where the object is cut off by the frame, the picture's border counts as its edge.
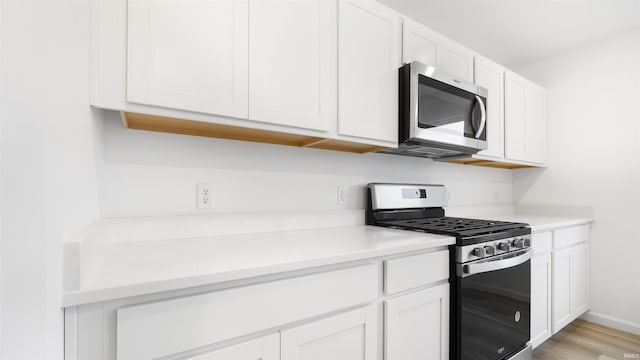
(293, 62)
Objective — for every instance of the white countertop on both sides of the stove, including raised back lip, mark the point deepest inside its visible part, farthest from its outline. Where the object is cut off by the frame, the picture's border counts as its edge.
(126, 257)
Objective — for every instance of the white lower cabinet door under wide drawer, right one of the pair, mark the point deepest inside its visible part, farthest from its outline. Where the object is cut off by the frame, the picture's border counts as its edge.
(348, 336)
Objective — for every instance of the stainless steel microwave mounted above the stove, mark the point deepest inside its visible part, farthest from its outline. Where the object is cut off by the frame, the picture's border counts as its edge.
(440, 116)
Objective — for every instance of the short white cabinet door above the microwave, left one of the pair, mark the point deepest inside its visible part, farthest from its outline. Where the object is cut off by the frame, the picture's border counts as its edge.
(421, 44)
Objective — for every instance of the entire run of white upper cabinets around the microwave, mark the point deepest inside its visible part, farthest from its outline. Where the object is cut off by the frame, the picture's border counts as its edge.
(313, 73)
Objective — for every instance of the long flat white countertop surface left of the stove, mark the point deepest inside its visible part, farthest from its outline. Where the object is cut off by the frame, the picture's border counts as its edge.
(134, 268)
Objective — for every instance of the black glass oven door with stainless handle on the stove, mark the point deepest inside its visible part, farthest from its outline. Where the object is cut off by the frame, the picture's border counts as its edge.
(493, 304)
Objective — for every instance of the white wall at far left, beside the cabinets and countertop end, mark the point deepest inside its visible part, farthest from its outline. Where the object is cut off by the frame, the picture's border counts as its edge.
(48, 187)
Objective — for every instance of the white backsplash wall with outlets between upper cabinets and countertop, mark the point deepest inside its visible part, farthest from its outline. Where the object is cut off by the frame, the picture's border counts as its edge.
(149, 173)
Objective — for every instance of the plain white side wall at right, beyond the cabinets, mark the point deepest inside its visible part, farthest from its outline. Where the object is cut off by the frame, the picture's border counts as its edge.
(593, 97)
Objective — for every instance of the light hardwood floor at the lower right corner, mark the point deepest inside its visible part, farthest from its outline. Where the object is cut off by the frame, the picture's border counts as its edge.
(583, 340)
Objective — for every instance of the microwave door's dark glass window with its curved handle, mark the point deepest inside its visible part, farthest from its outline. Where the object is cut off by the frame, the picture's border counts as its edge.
(446, 109)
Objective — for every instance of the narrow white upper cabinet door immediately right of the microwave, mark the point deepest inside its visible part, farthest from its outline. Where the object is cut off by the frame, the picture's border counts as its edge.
(490, 76)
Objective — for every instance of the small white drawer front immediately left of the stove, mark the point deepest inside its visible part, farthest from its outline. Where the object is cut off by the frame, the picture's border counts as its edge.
(417, 270)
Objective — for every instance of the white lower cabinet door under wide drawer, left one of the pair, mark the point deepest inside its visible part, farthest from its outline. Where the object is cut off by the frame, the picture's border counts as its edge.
(266, 348)
